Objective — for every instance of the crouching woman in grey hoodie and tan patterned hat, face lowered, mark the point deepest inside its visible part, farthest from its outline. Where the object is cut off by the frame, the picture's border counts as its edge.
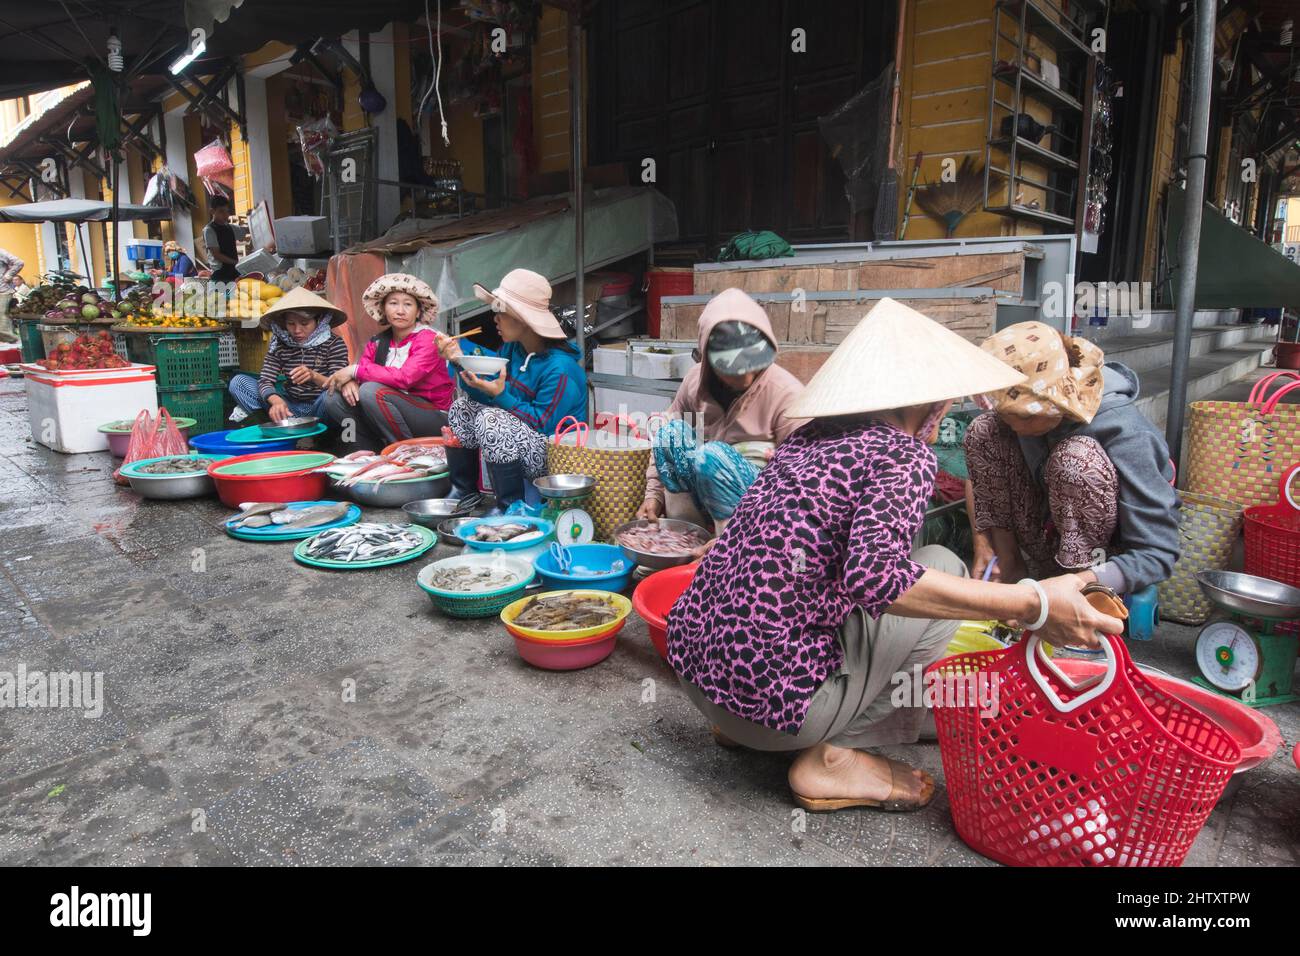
(1067, 474)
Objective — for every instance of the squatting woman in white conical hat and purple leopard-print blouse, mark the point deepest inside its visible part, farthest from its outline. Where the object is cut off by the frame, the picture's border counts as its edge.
(813, 605)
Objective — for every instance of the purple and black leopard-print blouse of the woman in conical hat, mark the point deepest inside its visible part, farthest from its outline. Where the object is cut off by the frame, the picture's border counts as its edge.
(827, 526)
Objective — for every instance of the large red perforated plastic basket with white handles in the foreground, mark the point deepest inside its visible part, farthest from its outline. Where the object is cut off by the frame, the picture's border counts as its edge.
(1111, 772)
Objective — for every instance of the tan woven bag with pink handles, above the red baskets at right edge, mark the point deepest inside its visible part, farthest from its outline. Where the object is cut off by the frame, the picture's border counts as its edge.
(1238, 451)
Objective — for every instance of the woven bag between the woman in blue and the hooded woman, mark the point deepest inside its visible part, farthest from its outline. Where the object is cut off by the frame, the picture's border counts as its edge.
(617, 460)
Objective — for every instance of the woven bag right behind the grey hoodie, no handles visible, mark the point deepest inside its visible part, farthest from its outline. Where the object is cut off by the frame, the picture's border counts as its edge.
(1208, 529)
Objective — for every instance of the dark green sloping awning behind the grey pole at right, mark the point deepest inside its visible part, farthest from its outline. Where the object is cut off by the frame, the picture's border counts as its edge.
(1236, 270)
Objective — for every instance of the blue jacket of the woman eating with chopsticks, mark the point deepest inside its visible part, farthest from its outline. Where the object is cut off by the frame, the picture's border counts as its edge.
(543, 388)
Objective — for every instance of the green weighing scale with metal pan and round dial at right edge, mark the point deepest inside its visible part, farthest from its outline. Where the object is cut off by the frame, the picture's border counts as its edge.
(1247, 656)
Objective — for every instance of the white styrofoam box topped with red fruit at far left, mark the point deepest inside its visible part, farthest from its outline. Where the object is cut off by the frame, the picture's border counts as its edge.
(67, 409)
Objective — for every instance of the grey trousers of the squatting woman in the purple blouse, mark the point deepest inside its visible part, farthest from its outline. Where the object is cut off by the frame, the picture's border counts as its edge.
(855, 708)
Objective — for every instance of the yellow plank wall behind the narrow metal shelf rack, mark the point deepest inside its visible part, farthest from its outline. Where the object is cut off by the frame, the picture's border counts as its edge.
(947, 70)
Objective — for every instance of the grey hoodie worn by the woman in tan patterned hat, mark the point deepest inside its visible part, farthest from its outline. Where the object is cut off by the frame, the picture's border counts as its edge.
(1147, 537)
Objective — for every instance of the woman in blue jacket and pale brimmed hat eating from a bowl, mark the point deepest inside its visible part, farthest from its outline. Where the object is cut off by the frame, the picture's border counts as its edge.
(510, 417)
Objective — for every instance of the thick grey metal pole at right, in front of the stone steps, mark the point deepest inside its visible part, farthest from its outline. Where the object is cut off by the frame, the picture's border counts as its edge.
(1190, 243)
